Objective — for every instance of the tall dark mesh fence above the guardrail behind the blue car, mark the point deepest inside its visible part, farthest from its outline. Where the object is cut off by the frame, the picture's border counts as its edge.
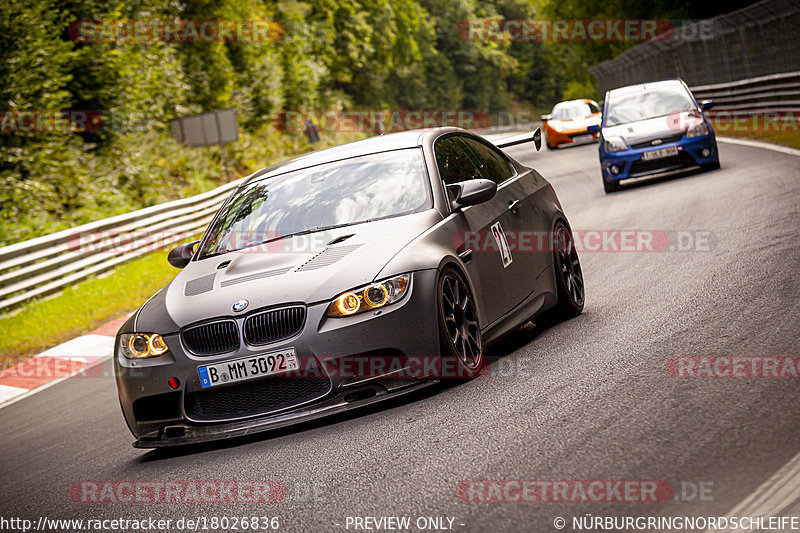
(747, 44)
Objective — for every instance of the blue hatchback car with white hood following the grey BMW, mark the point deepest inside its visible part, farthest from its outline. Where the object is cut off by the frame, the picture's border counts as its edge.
(653, 128)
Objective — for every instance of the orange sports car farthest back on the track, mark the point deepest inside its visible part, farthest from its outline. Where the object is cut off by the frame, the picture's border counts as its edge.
(572, 121)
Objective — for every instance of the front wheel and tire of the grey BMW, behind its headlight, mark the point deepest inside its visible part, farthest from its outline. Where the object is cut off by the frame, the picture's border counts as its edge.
(459, 332)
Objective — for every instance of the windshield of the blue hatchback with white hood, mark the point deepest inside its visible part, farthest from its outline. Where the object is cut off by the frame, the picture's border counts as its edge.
(649, 103)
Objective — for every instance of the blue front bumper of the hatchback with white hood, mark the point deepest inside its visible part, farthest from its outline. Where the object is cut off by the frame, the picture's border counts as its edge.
(630, 165)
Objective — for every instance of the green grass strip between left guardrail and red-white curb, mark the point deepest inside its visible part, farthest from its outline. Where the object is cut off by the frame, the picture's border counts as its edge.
(82, 307)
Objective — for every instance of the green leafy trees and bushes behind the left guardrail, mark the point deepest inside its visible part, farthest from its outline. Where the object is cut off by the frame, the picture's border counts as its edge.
(330, 54)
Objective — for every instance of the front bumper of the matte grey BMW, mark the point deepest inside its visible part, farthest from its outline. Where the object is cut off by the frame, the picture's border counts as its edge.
(397, 337)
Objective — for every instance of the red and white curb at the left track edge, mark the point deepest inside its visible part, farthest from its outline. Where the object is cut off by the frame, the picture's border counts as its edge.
(58, 363)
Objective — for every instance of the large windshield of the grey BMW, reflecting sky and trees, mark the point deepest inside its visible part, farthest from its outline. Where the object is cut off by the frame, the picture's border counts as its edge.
(312, 199)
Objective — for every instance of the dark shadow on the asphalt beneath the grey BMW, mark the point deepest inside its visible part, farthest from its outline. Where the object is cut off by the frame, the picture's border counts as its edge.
(507, 345)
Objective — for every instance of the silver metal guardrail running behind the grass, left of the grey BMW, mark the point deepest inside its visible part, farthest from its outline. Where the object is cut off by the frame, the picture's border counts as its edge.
(45, 265)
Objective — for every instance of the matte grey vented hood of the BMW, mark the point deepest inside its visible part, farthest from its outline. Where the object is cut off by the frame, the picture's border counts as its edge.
(306, 269)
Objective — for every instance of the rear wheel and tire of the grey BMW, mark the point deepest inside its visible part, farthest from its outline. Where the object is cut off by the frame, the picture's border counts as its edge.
(570, 289)
